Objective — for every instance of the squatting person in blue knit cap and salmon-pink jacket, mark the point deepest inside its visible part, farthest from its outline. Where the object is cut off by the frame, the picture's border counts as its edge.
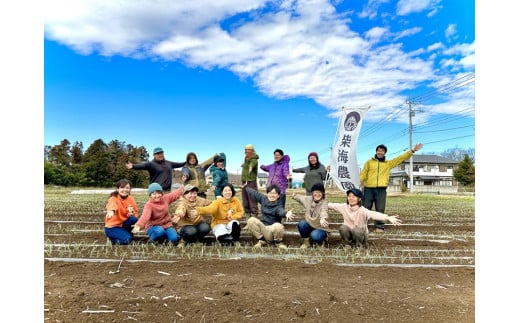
(156, 219)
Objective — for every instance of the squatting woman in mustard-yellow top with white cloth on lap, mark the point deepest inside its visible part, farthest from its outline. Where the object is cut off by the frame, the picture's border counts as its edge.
(225, 213)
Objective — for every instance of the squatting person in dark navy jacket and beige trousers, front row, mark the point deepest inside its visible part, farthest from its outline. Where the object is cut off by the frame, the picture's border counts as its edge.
(269, 227)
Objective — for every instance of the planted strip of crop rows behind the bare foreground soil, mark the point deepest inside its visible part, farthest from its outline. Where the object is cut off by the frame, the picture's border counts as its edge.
(436, 231)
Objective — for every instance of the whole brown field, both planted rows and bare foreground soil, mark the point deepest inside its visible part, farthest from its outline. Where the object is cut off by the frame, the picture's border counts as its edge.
(422, 271)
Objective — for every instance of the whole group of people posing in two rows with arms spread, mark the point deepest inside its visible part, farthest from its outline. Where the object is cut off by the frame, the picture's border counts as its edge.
(266, 212)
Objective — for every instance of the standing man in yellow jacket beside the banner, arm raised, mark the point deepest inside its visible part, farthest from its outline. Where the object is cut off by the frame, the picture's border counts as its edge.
(374, 178)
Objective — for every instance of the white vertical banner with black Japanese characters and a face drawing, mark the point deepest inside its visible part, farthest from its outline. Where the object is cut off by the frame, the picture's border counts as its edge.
(344, 169)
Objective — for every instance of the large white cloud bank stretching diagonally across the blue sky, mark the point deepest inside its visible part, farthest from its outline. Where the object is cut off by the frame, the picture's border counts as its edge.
(303, 48)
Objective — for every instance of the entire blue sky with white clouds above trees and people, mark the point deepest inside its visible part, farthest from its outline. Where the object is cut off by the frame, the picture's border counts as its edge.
(212, 76)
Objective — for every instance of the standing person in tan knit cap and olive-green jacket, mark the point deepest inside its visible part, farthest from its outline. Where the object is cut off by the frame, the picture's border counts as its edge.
(249, 176)
